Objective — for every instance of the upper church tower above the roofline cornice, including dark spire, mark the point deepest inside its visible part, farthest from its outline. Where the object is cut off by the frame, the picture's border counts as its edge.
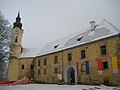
(17, 33)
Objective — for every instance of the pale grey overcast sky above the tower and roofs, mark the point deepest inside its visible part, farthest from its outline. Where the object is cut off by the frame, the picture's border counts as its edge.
(47, 20)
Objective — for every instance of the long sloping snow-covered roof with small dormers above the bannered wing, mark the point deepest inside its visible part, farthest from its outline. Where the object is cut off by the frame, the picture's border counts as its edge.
(102, 30)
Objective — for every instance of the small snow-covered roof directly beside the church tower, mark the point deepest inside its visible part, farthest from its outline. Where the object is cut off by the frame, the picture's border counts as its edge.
(29, 52)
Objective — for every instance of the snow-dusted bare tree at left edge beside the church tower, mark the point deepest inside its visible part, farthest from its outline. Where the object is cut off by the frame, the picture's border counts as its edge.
(5, 41)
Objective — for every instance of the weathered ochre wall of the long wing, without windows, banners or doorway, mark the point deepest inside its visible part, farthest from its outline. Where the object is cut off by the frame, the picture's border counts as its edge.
(92, 54)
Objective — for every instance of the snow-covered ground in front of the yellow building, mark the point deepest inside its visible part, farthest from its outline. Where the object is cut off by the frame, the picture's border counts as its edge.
(57, 87)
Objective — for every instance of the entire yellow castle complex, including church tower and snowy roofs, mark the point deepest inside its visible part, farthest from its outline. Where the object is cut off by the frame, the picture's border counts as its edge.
(91, 57)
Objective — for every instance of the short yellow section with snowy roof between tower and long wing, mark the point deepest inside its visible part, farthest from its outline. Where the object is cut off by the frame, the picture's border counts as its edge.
(26, 63)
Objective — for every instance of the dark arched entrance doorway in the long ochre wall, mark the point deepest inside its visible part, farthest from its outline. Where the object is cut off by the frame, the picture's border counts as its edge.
(71, 76)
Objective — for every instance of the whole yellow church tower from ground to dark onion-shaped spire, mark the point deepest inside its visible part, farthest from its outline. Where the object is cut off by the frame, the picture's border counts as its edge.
(15, 49)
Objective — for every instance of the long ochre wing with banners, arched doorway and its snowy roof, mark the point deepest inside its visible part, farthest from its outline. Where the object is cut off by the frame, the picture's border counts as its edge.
(91, 57)
